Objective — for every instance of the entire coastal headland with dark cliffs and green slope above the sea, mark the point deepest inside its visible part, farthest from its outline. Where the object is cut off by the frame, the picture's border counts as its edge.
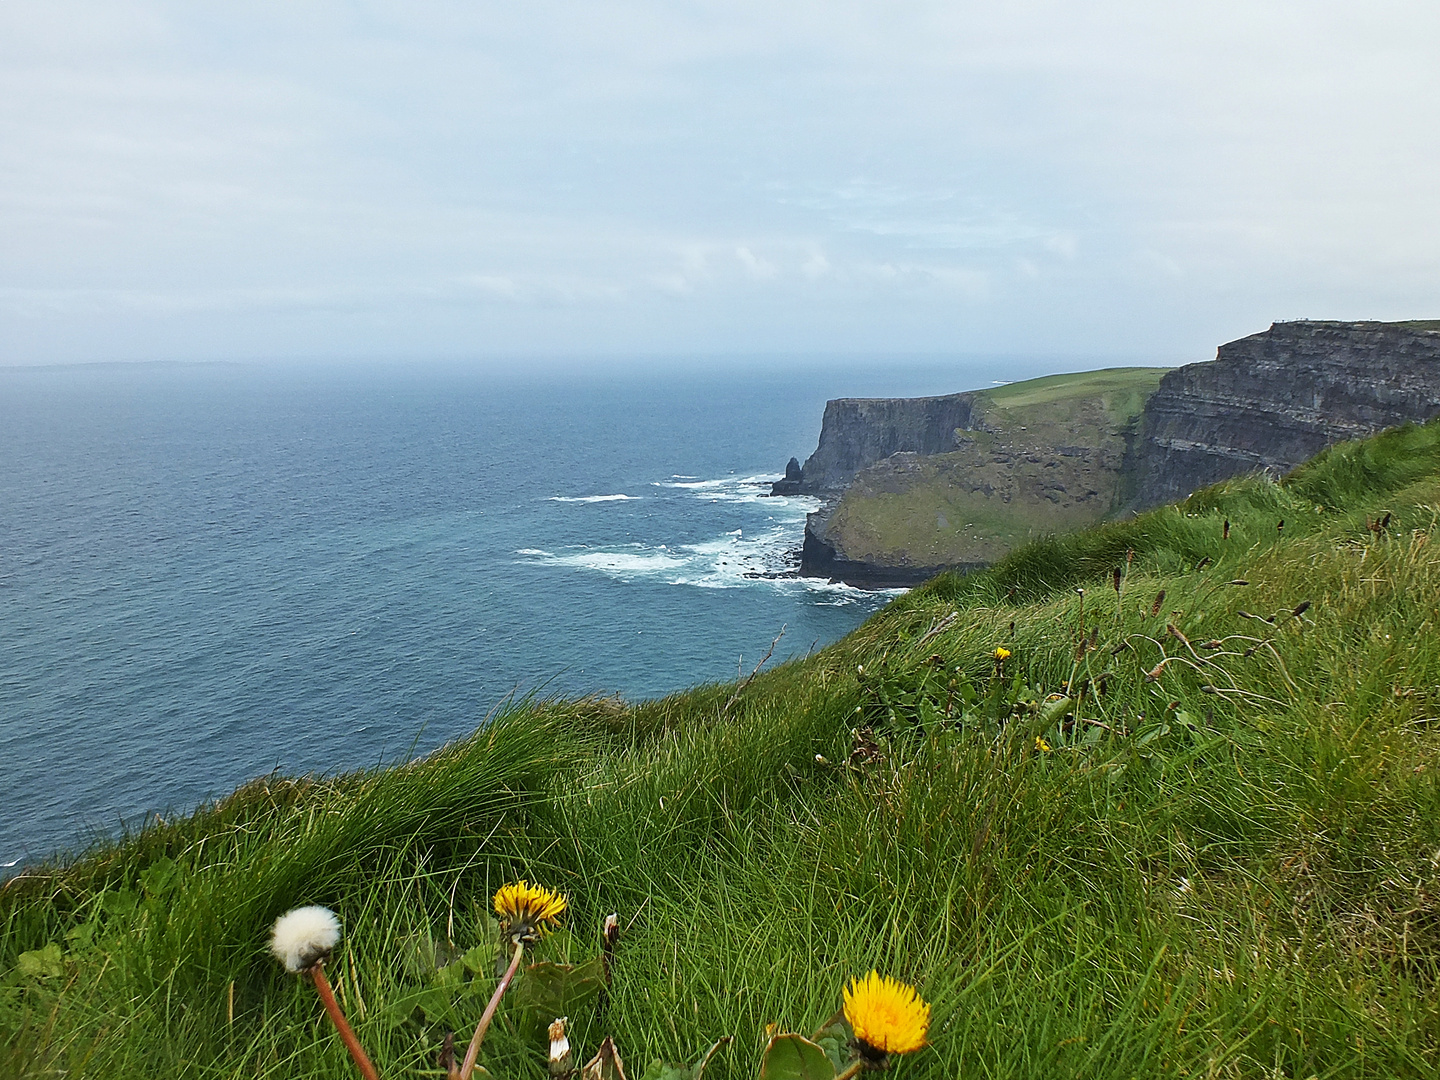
(924, 485)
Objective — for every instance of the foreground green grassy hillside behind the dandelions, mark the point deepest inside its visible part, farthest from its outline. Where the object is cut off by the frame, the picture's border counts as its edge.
(1189, 827)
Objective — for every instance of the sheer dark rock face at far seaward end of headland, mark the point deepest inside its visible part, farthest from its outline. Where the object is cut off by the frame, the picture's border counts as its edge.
(862, 431)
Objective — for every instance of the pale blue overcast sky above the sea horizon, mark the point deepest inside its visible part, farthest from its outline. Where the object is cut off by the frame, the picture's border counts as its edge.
(600, 181)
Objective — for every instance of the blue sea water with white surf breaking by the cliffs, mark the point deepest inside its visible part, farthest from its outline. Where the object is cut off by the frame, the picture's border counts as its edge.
(210, 572)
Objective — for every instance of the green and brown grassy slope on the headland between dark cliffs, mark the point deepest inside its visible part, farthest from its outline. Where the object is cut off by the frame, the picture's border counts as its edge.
(1010, 485)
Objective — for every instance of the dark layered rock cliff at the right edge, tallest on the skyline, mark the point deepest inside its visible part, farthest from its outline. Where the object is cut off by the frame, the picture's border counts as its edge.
(1275, 400)
